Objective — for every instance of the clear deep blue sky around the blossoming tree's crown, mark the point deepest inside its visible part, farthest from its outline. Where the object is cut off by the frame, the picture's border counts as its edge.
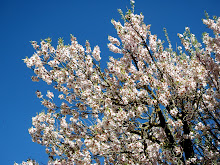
(24, 20)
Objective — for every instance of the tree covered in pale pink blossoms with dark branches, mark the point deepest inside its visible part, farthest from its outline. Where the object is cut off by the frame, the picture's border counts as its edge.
(153, 105)
